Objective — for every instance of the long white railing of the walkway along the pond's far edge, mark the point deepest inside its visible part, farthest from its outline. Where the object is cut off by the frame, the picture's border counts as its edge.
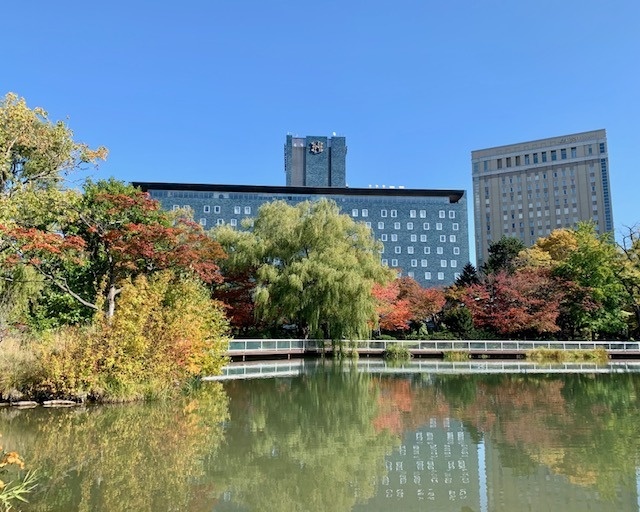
(239, 347)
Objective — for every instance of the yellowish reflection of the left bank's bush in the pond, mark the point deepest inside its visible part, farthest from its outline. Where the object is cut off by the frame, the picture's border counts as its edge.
(122, 457)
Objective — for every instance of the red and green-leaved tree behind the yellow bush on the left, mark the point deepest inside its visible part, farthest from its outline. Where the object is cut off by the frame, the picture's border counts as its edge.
(111, 233)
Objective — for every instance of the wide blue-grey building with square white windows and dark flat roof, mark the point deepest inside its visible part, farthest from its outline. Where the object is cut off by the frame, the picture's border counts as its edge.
(424, 232)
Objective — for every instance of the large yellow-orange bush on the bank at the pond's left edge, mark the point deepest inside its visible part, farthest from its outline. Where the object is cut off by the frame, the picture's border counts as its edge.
(165, 332)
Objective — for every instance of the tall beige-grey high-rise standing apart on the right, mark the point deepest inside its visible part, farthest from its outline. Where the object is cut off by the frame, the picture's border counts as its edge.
(527, 190)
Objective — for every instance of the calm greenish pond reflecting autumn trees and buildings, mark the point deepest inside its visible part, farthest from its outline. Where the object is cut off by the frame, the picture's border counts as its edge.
(368, 437)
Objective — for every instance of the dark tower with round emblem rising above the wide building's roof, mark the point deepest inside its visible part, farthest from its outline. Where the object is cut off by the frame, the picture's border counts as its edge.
(315, 161)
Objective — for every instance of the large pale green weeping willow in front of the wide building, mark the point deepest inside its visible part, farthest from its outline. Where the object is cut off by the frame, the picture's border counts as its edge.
(315, 268)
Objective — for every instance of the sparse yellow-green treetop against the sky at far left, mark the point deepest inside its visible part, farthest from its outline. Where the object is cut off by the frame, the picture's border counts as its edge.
(34, 151)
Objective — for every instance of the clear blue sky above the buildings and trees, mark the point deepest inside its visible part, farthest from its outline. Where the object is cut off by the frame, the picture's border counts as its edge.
(205, 91)
